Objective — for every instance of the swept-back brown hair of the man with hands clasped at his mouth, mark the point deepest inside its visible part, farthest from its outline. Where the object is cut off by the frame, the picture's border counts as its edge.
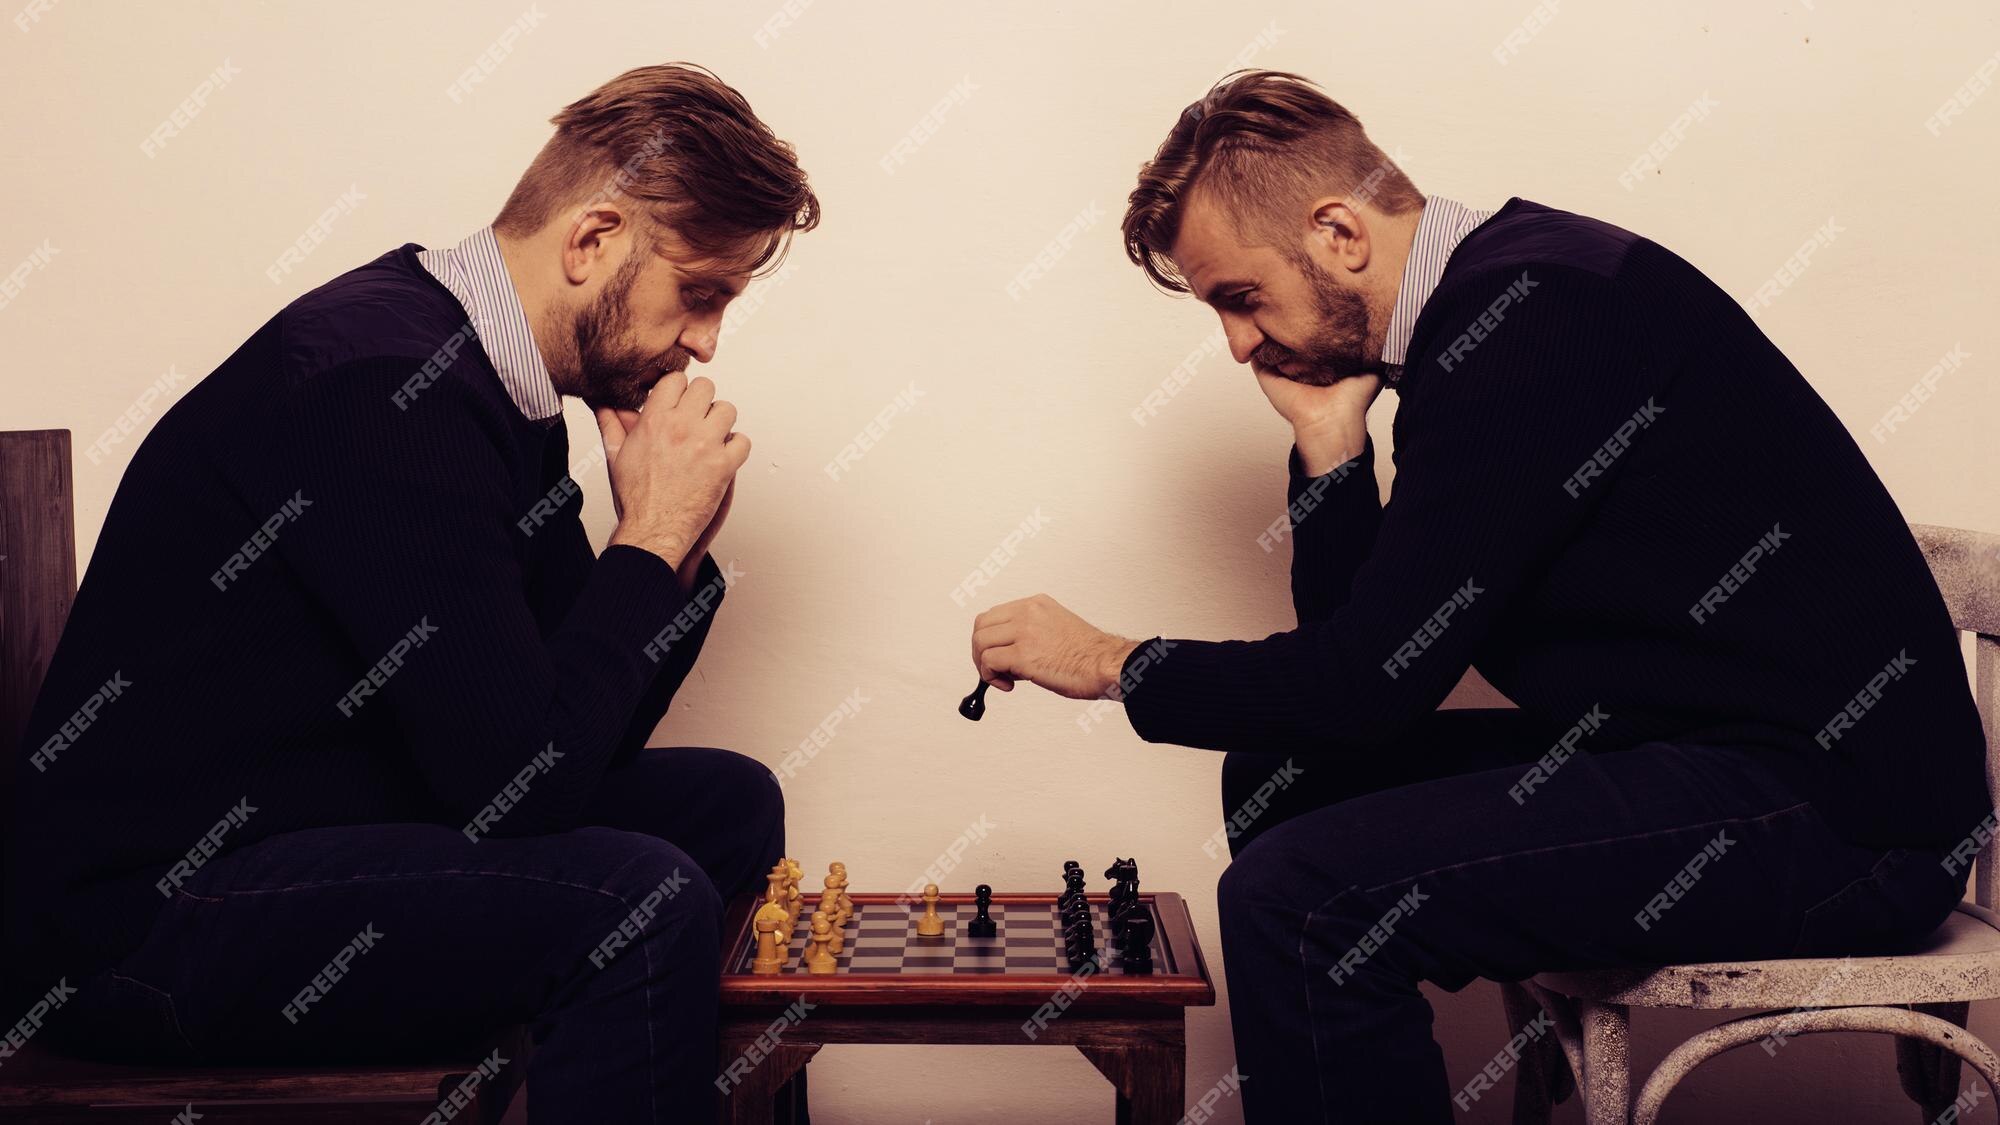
(689, 149)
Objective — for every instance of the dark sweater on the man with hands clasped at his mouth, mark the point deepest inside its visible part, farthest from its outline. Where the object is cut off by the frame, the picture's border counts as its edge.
(347, 584)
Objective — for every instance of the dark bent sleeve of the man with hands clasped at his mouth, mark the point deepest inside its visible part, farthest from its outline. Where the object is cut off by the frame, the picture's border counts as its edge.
(411, 549)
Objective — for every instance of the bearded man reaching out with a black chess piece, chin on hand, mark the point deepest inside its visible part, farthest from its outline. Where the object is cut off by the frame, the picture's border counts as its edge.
(1743, 724)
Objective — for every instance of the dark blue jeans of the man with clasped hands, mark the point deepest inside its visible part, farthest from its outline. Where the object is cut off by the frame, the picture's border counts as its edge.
(409, 942)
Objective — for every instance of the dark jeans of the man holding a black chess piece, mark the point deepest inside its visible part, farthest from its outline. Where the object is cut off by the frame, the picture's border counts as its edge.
(1365, 876)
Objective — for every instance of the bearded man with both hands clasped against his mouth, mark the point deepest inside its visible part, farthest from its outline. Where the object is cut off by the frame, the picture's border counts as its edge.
(343, 752)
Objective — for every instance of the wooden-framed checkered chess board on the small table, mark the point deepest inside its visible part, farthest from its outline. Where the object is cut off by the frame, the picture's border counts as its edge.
(887, 962)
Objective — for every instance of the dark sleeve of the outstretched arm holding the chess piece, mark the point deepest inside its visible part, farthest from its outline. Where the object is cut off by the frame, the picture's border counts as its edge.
(1477, 513)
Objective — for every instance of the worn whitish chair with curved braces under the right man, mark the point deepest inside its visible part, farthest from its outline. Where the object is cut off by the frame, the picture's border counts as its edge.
(1921, 998)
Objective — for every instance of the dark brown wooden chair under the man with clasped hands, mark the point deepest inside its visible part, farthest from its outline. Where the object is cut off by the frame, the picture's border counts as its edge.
(43, 1088)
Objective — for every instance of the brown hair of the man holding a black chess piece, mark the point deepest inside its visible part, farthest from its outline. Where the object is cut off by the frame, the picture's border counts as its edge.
(1263, 143)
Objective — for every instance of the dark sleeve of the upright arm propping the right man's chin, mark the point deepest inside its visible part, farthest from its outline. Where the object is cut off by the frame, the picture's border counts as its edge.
(1333, 521)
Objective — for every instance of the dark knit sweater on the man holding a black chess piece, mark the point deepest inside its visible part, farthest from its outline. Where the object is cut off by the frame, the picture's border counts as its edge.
(1615, 493)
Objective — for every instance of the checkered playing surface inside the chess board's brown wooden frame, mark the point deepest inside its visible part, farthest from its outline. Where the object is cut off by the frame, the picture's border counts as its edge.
(881, 938)
